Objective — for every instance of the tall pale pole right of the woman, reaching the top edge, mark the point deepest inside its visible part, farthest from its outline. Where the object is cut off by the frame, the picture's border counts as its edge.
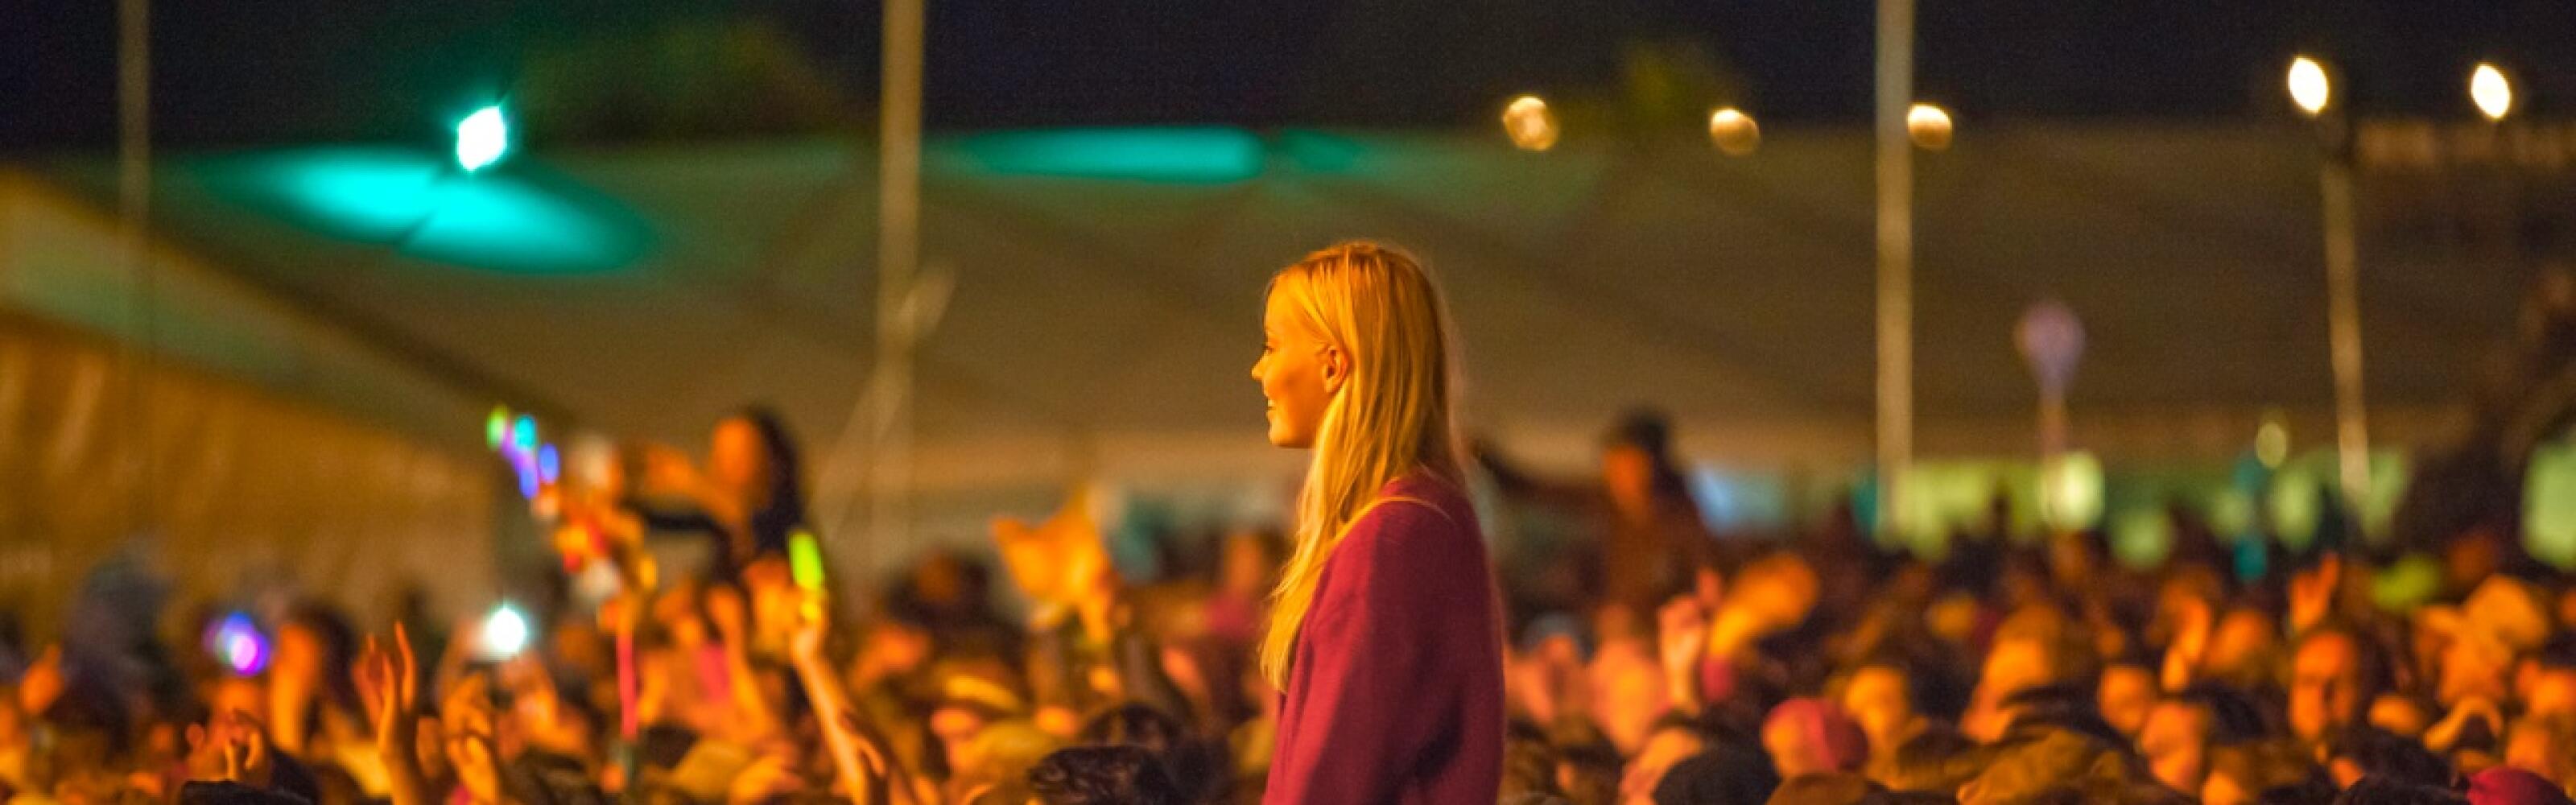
(1895, 259)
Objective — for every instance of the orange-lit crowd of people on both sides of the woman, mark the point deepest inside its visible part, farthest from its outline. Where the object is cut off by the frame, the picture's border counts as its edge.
(1645, 662)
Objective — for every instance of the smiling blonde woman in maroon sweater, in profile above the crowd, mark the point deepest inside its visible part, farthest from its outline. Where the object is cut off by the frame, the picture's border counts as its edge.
(1385, 633)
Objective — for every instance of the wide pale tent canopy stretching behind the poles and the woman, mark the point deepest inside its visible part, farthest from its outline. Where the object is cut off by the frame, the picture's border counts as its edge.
(1109, 288)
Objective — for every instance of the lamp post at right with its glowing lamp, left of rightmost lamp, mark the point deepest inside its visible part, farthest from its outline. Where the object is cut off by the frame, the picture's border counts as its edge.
(2315, 94)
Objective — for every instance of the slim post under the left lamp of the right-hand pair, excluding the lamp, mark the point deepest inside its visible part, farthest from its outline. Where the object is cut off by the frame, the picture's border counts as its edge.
(2345, 334)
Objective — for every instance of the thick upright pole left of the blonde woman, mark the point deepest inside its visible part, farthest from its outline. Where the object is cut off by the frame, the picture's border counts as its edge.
(898, 257)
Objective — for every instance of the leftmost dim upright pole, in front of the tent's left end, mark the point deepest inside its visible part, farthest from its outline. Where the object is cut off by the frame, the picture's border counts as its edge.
(135, 205)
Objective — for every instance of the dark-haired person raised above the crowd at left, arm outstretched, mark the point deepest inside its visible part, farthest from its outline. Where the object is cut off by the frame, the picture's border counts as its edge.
(748, 499)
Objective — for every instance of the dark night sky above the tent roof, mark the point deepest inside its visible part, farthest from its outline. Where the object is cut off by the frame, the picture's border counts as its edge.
(300, 71)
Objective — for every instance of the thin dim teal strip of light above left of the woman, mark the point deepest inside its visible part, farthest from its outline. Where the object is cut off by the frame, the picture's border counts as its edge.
(1168, 156)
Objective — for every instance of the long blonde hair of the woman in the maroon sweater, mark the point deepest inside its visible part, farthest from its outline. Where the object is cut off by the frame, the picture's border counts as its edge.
(1390, 417)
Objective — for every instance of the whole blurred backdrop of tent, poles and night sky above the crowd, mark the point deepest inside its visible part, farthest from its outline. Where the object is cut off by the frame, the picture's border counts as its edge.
(326, 290)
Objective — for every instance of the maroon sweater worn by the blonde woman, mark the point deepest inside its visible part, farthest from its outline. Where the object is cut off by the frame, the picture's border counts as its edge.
(1395, 688)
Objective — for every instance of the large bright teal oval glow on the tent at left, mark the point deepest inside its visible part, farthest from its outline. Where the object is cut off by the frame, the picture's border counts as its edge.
(424, 208)
